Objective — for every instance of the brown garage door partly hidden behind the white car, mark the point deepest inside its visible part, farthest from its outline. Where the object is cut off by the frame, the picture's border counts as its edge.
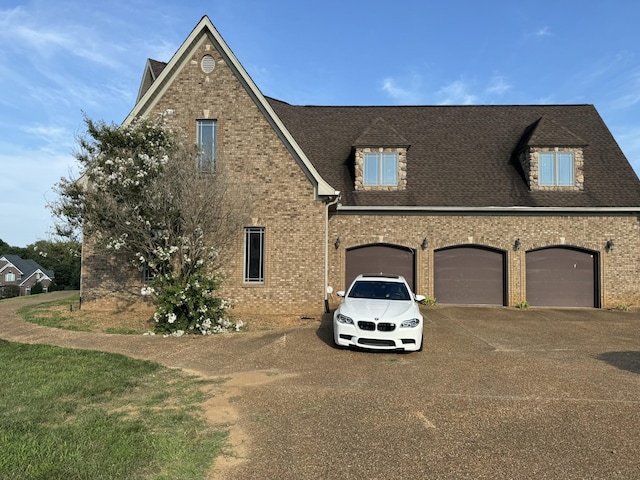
(378, 258)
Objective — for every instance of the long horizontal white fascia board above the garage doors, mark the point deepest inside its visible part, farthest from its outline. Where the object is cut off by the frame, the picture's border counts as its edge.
(488, 210)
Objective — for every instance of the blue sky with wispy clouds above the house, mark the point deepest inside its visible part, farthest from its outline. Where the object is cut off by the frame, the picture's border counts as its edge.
(60, 58)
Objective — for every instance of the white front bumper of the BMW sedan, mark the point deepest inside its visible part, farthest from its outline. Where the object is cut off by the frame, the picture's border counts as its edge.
(406, 338)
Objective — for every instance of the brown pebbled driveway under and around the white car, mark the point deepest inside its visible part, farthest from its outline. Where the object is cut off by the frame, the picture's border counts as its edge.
(497, 393)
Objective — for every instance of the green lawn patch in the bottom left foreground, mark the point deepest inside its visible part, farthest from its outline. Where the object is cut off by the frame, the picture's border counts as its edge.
(74, 414)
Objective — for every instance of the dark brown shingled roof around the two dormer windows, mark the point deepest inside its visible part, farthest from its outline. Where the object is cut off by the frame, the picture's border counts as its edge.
(463, 156)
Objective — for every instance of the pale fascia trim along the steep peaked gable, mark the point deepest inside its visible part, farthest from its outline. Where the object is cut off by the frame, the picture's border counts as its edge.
(163, 81)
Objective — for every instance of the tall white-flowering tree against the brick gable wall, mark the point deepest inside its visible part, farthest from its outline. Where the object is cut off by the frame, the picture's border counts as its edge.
(141, 195)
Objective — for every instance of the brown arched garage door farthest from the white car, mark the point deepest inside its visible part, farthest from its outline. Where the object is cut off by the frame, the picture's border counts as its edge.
(562, 277)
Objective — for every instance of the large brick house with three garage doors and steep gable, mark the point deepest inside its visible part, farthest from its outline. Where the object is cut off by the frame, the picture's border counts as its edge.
(489, 205)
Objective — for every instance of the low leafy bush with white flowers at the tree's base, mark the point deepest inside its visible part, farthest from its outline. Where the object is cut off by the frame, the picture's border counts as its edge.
(189, 307)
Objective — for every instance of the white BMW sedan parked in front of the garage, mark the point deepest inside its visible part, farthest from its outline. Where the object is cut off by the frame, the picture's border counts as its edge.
(379, 312)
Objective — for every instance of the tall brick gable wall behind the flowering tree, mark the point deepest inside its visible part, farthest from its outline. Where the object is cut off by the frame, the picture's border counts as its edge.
(283, 197)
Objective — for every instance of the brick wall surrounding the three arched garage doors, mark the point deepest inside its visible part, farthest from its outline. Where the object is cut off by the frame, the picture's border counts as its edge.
(619, 269)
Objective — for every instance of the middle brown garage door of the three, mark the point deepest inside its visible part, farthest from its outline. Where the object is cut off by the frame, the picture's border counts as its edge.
(469, 276)
